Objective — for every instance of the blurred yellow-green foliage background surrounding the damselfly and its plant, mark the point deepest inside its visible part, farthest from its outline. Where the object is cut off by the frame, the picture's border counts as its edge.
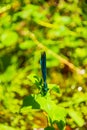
(26, 29)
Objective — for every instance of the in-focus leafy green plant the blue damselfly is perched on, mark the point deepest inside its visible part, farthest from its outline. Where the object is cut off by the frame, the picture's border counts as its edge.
(55, 114)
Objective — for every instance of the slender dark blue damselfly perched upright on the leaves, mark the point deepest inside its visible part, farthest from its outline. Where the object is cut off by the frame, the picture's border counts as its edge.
(44, 72)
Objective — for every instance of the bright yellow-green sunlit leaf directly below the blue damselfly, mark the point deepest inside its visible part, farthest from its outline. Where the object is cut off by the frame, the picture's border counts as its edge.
(55, 112)
